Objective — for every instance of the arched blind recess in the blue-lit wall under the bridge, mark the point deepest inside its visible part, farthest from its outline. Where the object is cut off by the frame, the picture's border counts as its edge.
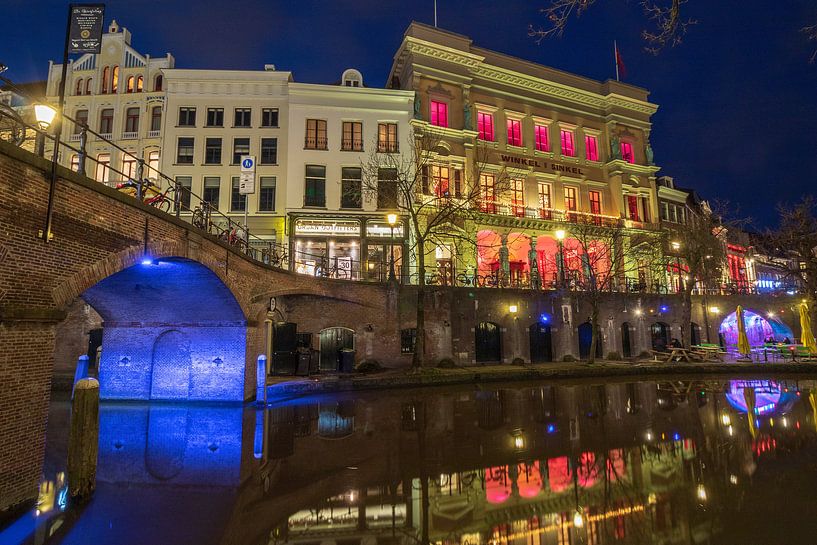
(170, 372)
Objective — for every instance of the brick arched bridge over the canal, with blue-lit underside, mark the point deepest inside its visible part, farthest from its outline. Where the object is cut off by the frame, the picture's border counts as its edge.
(183, 312)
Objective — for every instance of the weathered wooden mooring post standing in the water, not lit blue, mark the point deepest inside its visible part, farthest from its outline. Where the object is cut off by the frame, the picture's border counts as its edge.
(83, 440)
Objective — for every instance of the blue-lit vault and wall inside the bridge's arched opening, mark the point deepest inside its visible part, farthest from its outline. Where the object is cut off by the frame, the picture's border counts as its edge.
(172, 330)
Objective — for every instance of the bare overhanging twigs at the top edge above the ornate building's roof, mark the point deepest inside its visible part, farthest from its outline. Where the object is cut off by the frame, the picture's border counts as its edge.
(669, 26)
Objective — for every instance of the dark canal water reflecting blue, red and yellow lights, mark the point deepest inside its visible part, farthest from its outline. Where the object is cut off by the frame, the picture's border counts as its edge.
(720, 462)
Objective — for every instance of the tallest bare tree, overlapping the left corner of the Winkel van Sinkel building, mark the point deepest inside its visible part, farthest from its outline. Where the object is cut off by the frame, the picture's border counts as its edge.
(437, 205)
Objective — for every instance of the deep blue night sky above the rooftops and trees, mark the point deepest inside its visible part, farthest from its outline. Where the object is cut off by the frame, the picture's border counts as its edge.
(738, 99)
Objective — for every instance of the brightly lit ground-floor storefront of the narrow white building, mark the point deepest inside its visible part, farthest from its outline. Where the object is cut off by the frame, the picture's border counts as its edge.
(353, 248)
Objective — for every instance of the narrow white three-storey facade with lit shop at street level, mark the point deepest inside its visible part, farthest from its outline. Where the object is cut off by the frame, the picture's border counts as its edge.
(335, 228)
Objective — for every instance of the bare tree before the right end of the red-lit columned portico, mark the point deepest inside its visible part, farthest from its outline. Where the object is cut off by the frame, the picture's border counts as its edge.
(598, 257)
